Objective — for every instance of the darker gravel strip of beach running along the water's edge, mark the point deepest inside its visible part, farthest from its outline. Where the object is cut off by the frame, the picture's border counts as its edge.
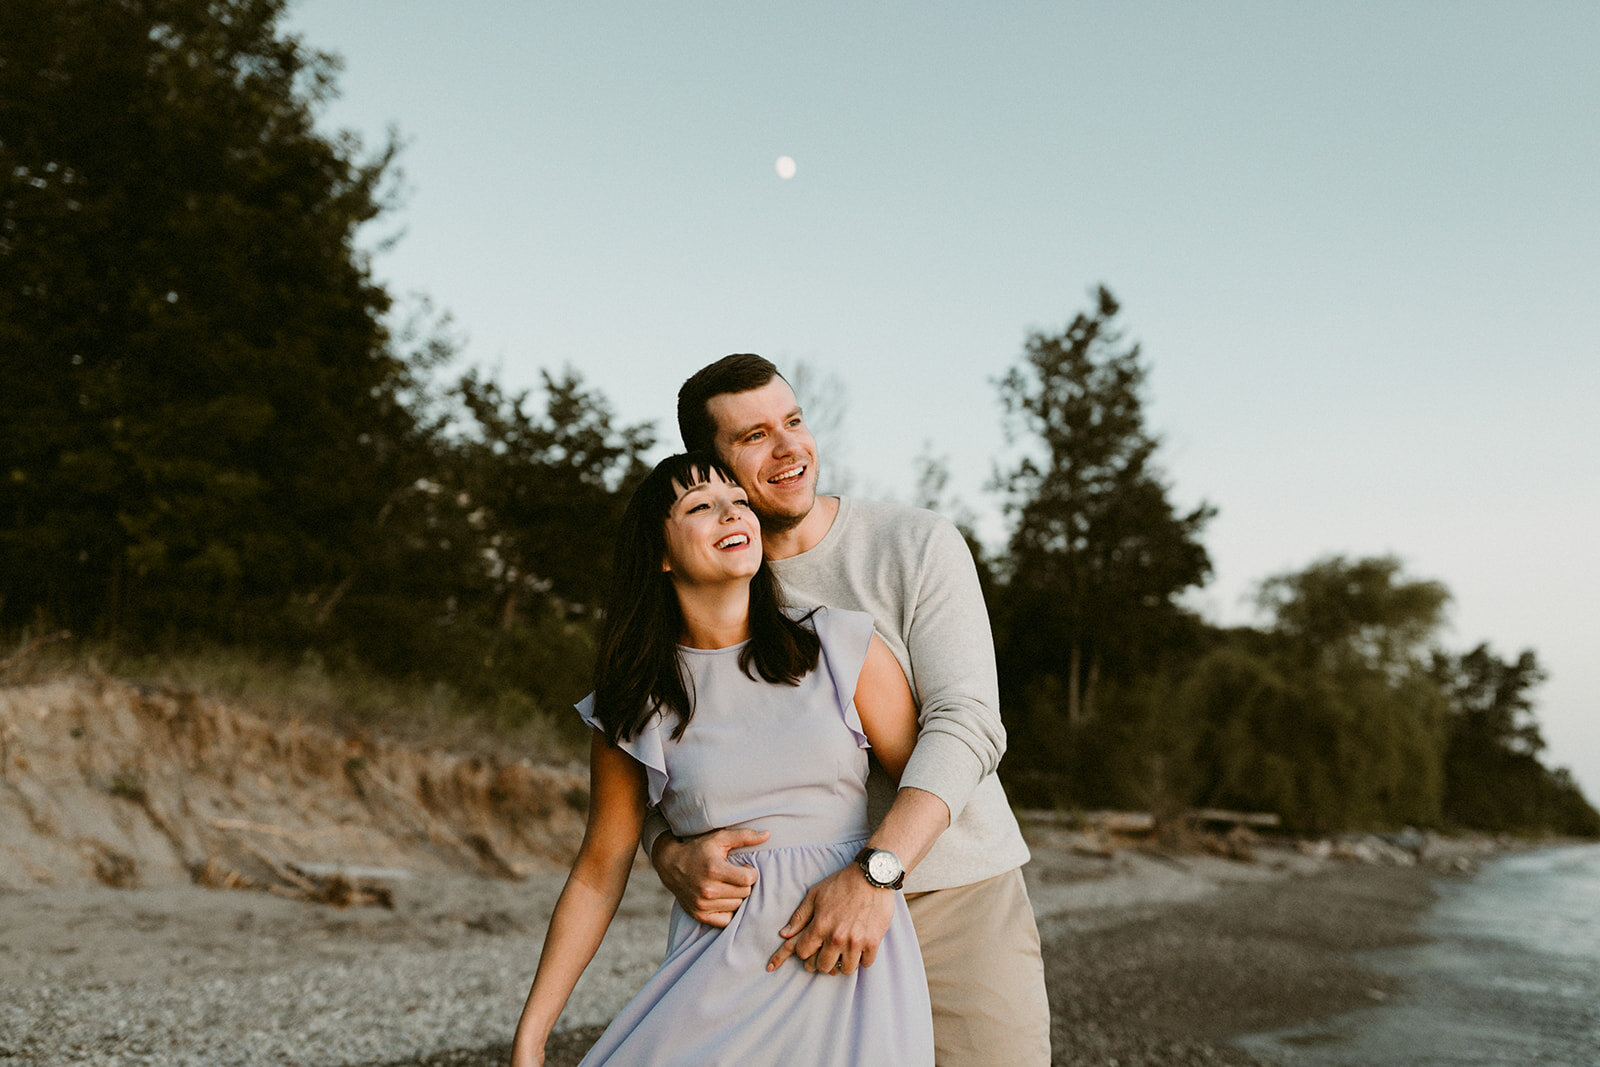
(1172, 985)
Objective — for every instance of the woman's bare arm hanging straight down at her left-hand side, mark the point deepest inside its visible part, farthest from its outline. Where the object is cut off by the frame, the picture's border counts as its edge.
(617, 812)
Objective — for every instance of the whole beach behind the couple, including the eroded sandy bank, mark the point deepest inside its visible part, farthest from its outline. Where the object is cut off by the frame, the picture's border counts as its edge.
(375, 903)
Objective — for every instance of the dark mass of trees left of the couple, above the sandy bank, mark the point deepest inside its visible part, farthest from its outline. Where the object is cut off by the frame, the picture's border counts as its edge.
(209, 431)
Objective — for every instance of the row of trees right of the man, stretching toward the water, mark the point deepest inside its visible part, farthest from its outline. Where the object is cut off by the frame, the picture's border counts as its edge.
(1342, 711)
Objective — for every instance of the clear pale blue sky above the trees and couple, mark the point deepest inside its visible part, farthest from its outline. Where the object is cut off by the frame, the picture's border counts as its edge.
(1359, 247)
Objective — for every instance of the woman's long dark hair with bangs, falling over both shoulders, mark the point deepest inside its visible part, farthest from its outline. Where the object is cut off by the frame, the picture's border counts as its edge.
(638, 666)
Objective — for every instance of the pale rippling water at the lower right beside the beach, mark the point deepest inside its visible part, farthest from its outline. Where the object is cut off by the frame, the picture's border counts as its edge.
(1511, 977)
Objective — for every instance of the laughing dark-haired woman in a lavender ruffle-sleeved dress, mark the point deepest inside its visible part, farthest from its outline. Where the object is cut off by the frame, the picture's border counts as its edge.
(722, 709)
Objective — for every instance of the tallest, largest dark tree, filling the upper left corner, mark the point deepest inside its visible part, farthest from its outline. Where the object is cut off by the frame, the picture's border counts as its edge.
(204, 415)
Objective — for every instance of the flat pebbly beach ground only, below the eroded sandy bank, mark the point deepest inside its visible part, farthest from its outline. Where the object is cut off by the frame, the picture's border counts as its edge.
(1151, 959)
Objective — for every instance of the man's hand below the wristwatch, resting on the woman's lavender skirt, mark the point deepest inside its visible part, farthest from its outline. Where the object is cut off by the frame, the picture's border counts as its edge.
(838, 925)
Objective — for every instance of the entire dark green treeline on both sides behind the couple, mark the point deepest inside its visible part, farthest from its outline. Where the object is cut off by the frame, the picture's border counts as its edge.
(210, 433)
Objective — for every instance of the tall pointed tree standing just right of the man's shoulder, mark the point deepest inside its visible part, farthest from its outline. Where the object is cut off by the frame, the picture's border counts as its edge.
(1098, 551)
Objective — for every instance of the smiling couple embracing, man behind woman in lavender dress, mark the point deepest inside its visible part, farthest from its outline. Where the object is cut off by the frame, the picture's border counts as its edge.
(759, 644)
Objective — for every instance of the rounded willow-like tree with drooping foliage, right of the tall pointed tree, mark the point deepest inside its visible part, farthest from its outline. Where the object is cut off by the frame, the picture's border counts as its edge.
(1332, 721)
